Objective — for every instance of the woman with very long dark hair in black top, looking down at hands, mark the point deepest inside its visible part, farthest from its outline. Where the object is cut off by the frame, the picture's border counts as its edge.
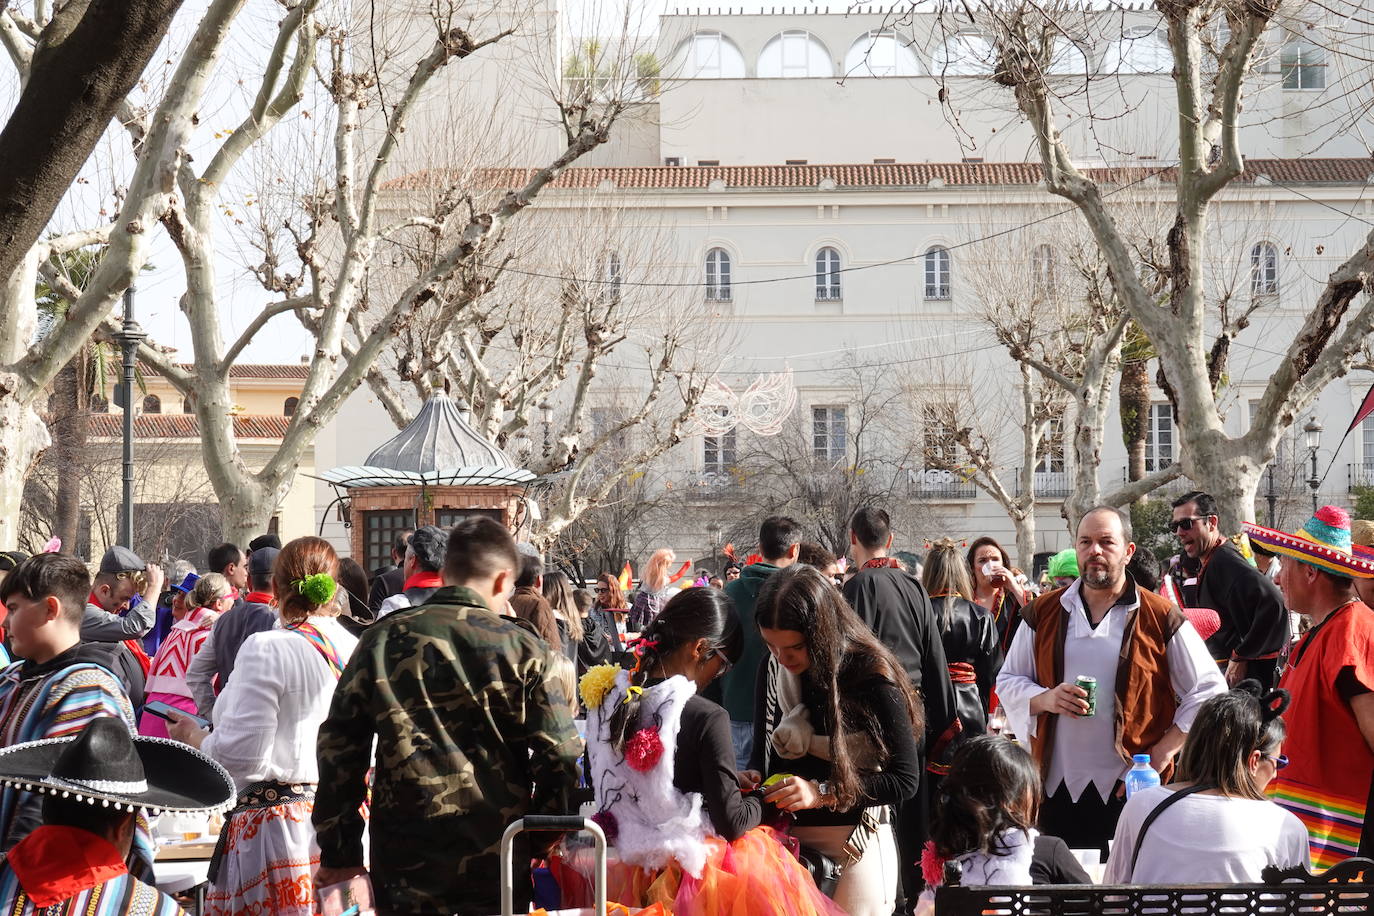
(850, 734)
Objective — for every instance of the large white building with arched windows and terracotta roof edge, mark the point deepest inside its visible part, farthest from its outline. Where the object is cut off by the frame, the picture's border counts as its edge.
(803, 168)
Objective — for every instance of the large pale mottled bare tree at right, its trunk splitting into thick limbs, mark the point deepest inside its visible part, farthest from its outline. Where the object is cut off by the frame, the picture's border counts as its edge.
(1211, 79)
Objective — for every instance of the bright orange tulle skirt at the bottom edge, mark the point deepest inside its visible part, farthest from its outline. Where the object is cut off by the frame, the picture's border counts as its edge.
(754, 877)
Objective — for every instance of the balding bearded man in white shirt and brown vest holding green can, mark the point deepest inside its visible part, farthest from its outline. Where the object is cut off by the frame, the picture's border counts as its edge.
(1144, 707)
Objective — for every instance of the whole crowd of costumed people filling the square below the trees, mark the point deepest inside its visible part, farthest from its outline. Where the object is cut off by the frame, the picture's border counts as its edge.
(842, 734)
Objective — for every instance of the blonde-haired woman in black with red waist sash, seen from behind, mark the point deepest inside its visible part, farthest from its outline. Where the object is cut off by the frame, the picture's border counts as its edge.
(968, 634)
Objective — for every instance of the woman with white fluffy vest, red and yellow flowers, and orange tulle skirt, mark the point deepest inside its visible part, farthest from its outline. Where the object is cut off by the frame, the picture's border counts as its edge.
(667, 789)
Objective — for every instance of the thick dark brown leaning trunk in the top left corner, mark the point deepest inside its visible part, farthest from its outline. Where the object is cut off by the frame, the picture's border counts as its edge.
(87, 61)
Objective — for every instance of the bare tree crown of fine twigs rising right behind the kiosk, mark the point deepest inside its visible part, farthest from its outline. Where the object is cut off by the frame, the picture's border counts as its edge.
(585, 325)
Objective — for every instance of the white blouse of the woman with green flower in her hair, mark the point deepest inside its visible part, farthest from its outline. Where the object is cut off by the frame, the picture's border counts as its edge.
(269, 718)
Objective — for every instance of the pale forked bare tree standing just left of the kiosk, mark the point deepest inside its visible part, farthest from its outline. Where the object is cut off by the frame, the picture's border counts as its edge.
(325, 230)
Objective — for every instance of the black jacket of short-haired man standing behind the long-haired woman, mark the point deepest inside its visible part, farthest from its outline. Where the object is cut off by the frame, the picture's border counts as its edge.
(898, 610)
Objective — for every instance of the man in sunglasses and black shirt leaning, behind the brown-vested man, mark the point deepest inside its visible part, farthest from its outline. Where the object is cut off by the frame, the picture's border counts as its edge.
(1255, 624)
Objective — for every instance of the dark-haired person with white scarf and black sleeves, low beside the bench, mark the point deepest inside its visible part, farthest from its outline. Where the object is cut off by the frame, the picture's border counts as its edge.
(984, 821)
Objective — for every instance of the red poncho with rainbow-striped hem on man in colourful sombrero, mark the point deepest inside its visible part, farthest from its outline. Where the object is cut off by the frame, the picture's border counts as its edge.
(1332, 774)
